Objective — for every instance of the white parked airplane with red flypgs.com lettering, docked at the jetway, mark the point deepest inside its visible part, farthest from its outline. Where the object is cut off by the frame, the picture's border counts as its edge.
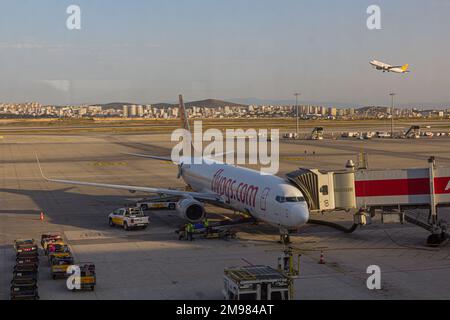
(267, 198)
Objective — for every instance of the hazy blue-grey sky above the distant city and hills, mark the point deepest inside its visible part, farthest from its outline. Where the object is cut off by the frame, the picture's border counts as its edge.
(149, 51)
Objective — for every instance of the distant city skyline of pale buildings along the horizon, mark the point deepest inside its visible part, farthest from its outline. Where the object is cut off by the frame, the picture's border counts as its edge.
(212, 109)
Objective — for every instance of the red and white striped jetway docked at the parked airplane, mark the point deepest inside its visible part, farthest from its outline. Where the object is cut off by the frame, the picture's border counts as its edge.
(385, 189)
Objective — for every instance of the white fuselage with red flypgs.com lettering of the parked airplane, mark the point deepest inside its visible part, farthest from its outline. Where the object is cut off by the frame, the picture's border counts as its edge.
(266, 197)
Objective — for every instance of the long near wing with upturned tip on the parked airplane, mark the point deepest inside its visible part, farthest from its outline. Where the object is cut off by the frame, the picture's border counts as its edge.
(197, 195)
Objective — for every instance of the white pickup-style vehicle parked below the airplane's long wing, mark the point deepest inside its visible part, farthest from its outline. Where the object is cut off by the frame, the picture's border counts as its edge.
(128, 218)
